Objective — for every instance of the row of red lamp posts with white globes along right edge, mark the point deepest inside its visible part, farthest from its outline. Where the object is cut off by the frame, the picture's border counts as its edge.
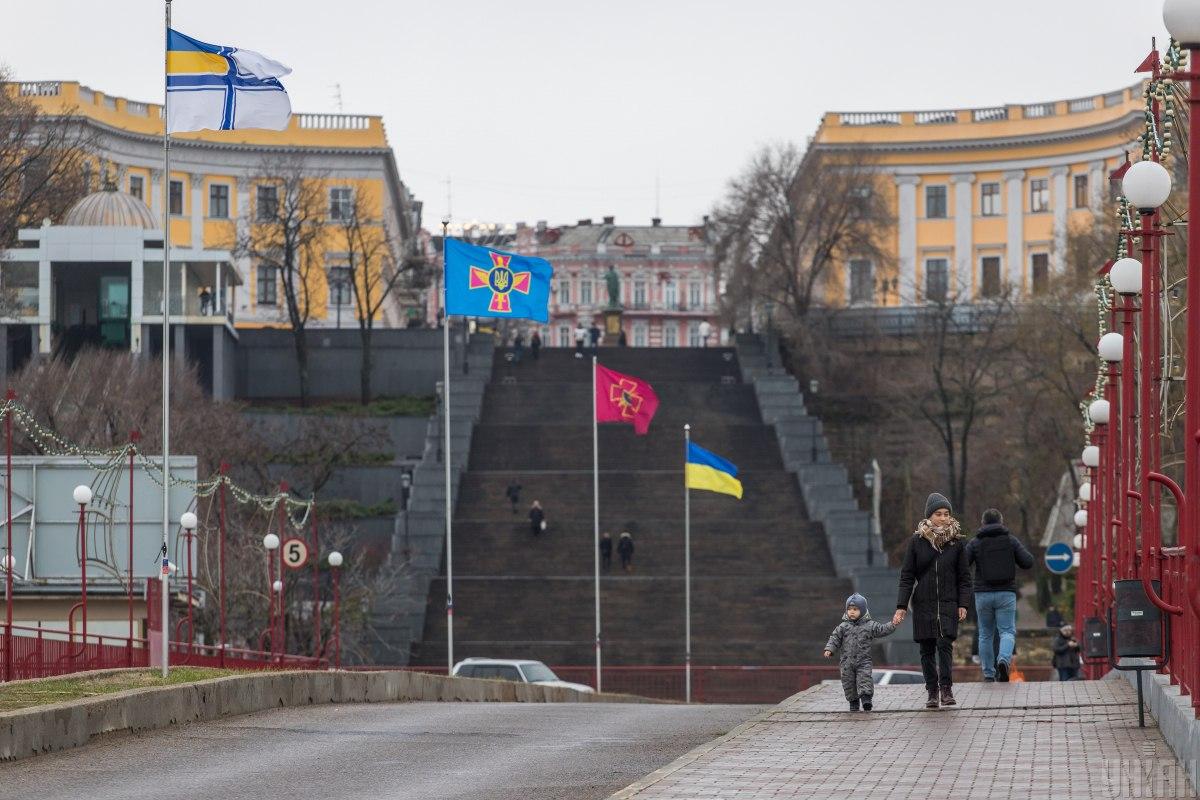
(1120, 512)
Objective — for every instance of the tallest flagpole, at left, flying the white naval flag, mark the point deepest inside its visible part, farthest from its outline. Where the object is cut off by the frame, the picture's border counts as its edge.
(166, 353)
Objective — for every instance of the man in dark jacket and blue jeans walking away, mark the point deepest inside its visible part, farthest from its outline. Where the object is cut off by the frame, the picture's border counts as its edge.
(997, 555)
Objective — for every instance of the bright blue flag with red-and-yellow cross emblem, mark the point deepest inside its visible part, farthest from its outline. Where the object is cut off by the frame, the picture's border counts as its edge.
(485, 282)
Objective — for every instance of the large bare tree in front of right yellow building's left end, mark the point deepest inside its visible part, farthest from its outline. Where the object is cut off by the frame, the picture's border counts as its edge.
(791, 218)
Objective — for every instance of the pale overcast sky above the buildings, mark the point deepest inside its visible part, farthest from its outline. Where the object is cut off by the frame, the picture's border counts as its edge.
(541, 110)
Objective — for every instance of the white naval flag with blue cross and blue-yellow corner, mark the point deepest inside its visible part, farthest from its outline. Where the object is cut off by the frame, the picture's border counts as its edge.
(218, 88)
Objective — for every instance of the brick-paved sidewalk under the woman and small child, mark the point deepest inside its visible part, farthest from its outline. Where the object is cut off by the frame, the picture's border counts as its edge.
(1076, 739)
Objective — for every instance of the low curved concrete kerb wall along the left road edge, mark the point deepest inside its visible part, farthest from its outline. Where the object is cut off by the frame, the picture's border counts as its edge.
(63, 726)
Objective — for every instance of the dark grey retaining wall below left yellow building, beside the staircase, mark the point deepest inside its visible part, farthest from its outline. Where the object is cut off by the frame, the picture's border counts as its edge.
(406, 363)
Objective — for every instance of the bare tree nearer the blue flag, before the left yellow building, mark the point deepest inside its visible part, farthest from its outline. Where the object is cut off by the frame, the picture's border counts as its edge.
(376, 269)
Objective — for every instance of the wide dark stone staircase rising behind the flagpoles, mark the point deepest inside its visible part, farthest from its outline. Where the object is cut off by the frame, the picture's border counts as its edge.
(765, 586)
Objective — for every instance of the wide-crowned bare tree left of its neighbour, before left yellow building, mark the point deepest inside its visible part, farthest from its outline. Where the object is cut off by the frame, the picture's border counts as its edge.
(286, 232)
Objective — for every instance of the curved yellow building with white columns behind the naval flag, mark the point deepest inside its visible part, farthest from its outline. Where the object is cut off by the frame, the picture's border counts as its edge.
(218, 183)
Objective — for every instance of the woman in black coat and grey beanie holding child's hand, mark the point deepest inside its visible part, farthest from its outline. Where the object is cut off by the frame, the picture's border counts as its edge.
(937, 580)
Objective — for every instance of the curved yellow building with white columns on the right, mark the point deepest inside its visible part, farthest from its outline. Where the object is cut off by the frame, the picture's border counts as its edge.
(983, 197)
